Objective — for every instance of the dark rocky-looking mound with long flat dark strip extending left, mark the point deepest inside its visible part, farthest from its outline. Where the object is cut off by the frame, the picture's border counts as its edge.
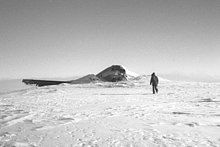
(114, 73)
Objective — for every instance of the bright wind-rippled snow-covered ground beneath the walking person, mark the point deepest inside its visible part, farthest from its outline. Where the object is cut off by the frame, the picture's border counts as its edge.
(124, 114)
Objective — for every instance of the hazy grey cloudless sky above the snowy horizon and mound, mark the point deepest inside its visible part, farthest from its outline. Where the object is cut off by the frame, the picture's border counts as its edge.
(62, 38)
